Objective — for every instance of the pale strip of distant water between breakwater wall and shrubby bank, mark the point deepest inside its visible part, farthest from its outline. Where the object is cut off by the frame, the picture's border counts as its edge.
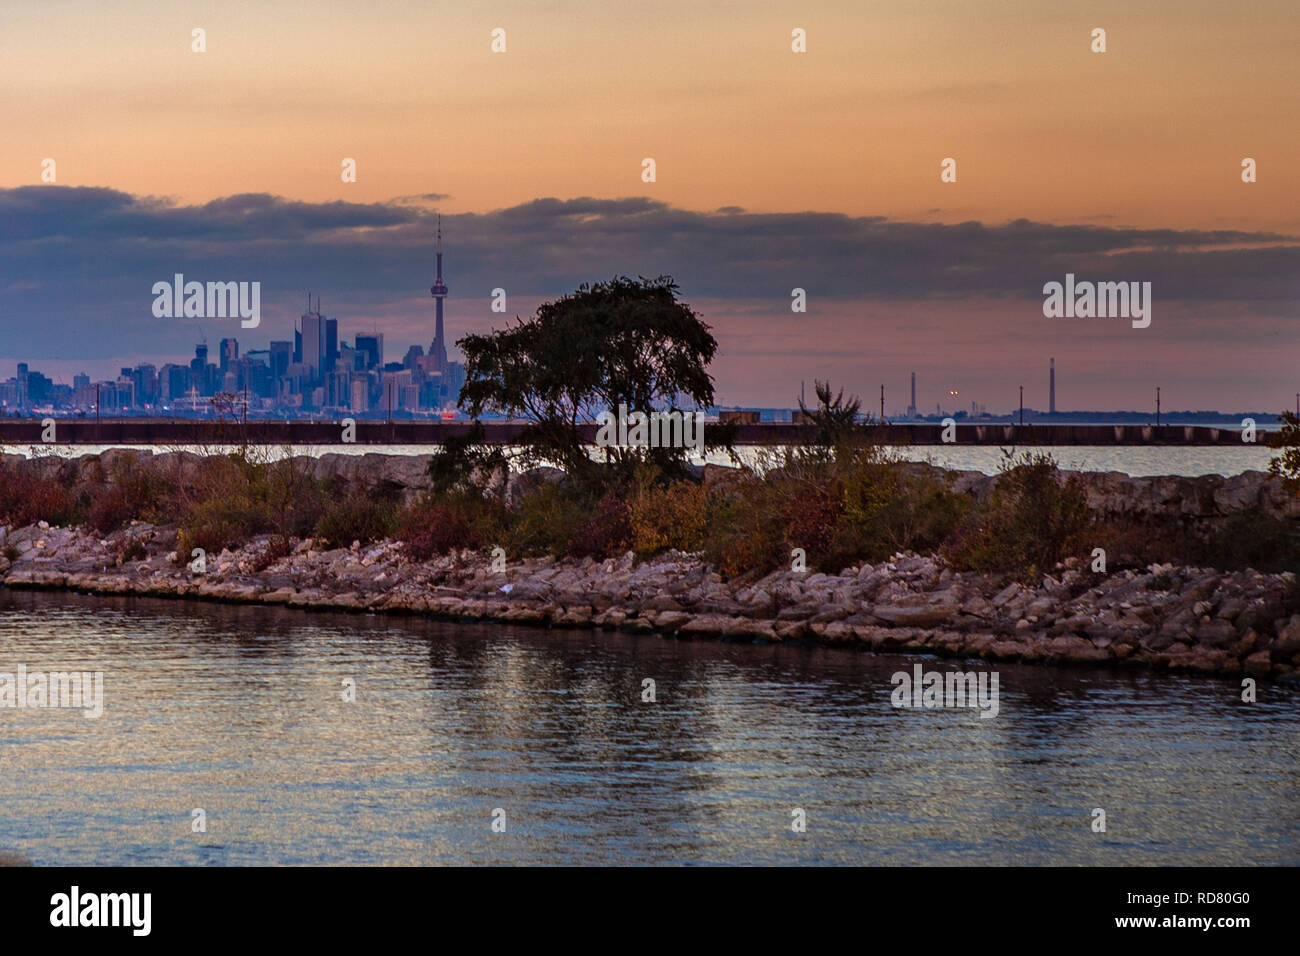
(1139, 461)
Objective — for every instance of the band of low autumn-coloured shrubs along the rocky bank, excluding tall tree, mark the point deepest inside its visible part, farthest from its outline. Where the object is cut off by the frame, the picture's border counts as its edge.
(843, 504)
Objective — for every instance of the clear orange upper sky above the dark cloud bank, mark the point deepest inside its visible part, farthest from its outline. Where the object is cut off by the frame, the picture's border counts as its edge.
(1149, 135)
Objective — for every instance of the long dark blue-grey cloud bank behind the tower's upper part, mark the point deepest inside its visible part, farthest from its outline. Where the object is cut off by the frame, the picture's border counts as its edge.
(77, 265)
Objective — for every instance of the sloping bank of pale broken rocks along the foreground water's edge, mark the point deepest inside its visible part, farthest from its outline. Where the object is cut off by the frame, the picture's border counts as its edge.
(1162, 617)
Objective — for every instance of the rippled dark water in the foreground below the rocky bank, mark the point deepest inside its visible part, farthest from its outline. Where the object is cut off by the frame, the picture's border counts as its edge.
(239, 711)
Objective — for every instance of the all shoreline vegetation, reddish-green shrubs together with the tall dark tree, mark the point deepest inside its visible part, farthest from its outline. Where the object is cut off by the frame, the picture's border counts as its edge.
(838, 500)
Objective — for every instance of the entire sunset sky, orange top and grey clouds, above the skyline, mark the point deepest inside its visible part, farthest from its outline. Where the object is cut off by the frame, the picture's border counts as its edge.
(774, 170)
